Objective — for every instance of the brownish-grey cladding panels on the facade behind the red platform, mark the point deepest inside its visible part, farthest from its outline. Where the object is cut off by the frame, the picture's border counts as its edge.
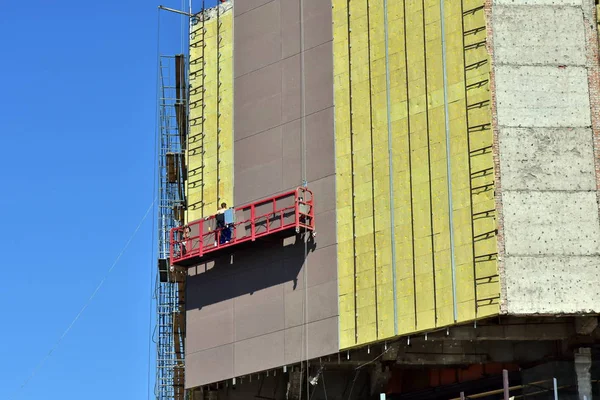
(274, 302)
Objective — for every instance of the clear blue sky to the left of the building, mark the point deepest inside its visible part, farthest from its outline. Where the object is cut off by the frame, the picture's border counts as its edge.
(77, 122)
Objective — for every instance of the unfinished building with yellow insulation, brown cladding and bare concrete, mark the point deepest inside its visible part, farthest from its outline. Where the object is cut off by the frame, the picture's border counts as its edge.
(452, 149)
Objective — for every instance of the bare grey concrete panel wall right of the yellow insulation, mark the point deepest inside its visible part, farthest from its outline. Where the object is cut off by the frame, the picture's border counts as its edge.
(543, 57)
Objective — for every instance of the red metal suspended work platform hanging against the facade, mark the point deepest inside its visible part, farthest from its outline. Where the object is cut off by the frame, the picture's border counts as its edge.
(188, 250)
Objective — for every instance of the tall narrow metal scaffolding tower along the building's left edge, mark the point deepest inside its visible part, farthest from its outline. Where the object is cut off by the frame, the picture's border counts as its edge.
(170, 283)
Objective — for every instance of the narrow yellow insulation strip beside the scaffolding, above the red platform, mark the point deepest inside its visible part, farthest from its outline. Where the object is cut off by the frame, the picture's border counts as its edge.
(210, 139)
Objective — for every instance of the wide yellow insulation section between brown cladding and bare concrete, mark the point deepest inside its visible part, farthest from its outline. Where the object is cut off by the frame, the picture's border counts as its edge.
(419, 203)
